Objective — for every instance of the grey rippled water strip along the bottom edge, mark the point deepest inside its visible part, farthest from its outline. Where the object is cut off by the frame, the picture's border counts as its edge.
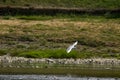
(50, 77)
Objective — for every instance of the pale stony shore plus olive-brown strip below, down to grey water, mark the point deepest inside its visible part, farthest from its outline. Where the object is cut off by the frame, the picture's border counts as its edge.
(98, 67)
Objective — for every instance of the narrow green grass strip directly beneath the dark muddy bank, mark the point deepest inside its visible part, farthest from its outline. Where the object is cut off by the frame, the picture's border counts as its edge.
(71, 17)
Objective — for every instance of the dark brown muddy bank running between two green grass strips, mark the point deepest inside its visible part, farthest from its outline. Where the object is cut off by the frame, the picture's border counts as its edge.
(54, 11)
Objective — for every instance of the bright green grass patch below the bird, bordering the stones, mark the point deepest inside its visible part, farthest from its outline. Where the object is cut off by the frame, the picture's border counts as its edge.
(49, 54)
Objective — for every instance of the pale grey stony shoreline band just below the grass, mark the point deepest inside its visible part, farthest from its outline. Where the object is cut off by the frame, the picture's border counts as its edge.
(100, 61)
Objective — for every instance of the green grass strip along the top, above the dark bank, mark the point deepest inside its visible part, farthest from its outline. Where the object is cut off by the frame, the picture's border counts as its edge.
(89, 4)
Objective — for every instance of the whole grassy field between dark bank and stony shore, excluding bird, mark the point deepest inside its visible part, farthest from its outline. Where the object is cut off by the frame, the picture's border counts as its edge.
(49, 36)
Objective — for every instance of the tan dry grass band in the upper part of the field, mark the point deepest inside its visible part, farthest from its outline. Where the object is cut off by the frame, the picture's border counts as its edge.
(58, 27)
